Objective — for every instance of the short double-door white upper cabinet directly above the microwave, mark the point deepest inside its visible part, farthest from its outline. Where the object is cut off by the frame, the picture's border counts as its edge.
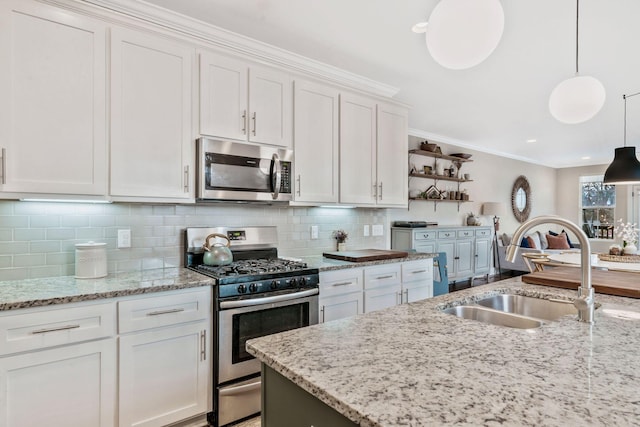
(244, 101)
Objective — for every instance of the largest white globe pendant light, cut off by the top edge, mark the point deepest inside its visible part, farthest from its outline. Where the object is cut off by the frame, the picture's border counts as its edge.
(462, 33)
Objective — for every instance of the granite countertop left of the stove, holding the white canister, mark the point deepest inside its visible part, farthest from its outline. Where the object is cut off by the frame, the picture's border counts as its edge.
(61, 290)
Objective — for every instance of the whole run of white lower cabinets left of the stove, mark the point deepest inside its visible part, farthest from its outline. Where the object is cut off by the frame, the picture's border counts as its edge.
(66, 366)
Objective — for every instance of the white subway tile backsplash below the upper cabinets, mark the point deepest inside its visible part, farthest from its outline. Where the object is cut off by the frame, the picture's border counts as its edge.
(38, 239)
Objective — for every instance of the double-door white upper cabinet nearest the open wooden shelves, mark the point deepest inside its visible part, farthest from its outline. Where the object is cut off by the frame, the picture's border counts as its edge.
(373, 171)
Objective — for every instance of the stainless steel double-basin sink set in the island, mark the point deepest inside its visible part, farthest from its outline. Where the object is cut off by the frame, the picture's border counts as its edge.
(514, 311)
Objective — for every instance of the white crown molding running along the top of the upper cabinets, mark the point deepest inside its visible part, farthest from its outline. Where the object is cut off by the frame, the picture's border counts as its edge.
(238, 44)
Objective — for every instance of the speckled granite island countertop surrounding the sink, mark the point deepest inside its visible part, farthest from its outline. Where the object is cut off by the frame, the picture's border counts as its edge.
(412, 365)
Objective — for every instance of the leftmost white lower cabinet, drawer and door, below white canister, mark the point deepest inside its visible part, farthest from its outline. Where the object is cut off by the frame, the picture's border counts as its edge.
(58, 367)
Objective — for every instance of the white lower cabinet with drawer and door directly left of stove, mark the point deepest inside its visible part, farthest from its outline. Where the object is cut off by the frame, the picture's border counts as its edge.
(164, 373)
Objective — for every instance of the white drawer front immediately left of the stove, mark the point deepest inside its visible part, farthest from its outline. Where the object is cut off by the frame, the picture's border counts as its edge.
(169, 308)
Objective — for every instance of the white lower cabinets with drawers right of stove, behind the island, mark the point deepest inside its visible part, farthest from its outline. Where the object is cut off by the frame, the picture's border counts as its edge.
(352, 291)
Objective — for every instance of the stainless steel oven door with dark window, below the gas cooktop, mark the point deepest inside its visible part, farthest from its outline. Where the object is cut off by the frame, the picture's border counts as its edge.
(242, 320)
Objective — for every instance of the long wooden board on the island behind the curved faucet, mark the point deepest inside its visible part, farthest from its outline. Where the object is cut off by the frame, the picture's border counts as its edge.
(619, 283)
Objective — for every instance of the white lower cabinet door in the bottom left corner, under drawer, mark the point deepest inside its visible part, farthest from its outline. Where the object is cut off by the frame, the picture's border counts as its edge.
(71, 386)
